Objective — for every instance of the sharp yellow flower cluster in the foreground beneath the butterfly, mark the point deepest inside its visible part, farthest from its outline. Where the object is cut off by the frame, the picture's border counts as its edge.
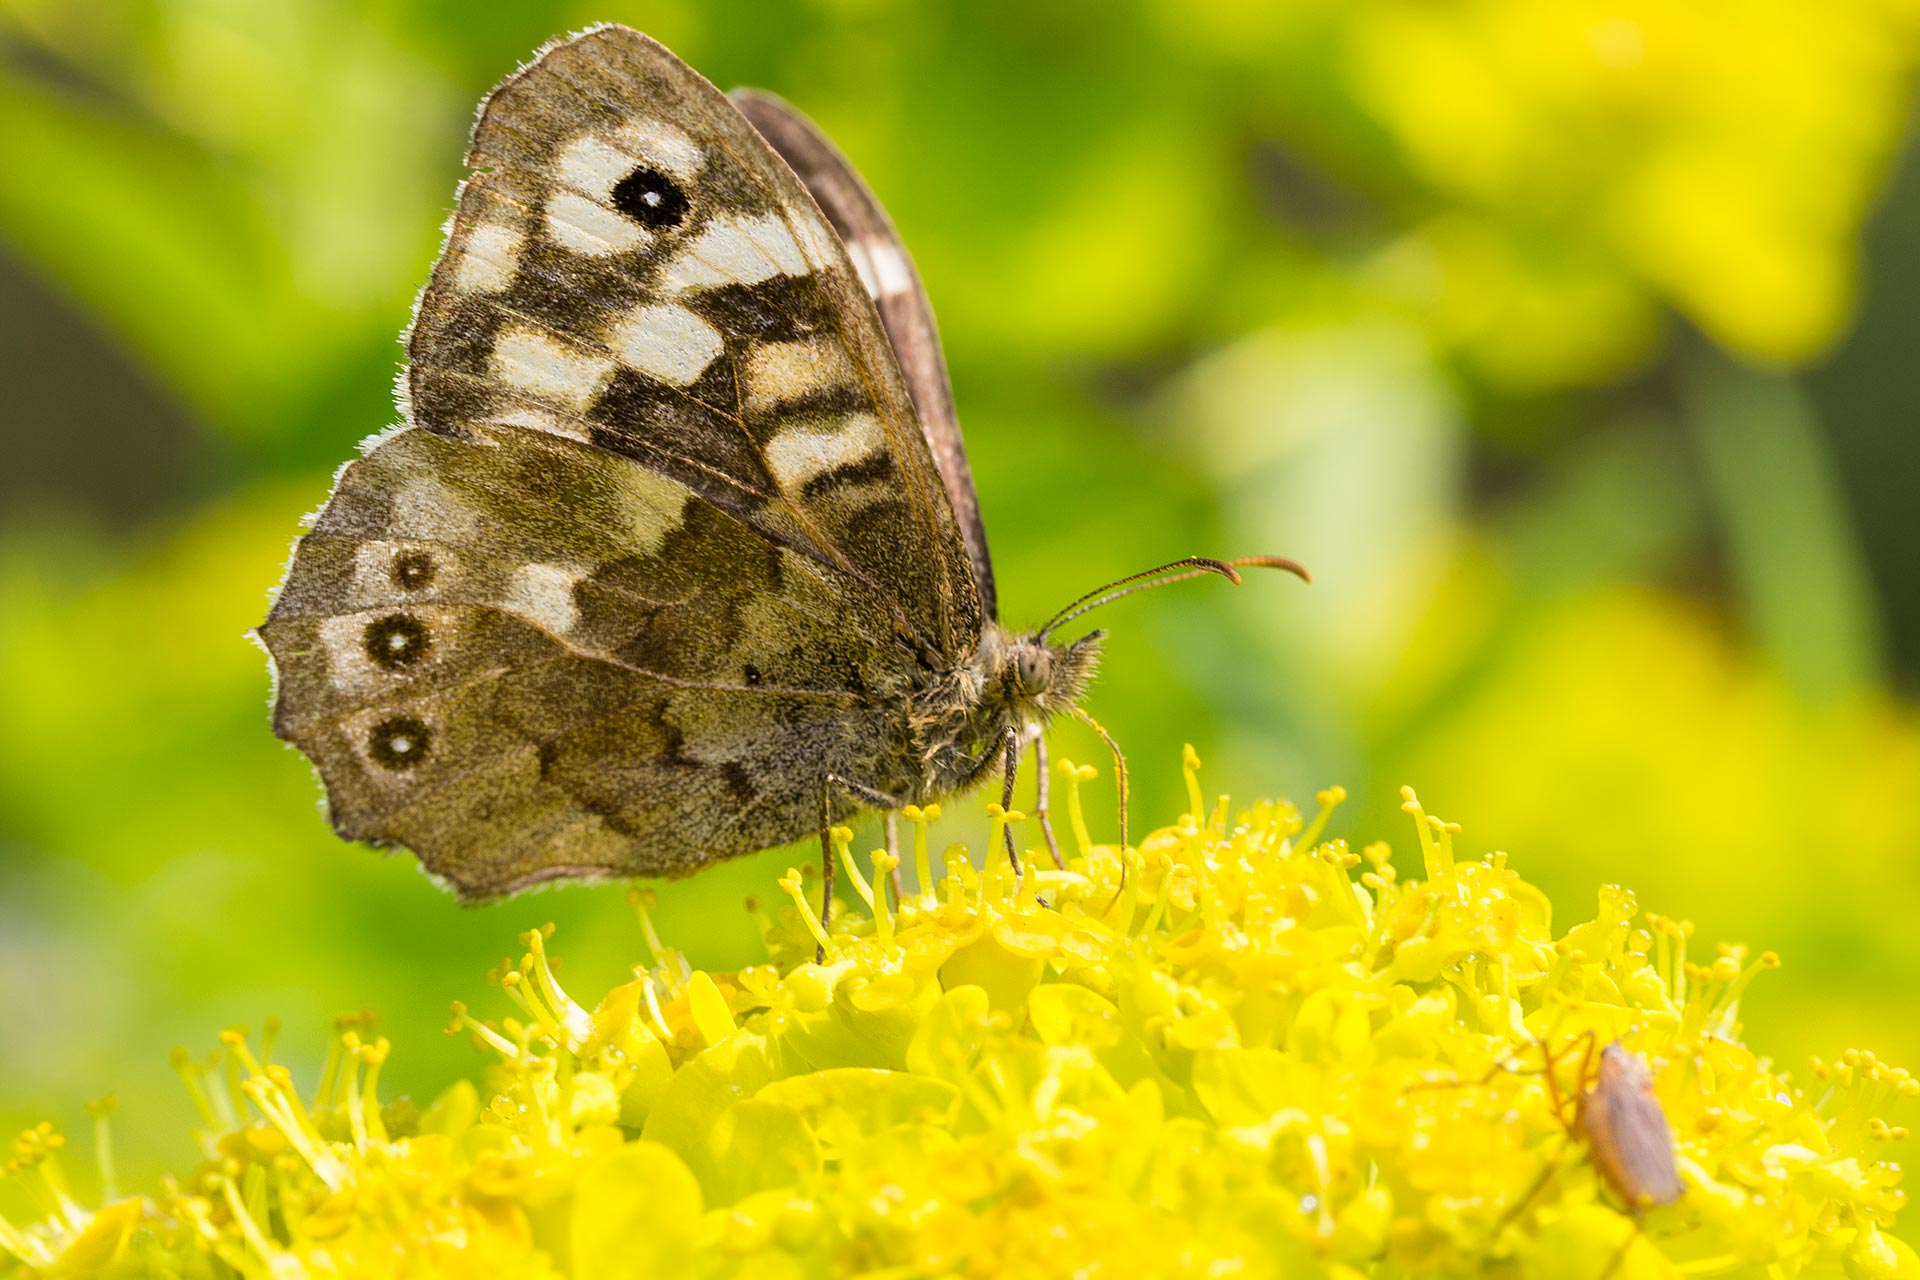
(1237, 1049)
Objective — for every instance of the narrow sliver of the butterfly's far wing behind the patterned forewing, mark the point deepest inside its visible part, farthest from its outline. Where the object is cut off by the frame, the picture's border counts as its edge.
(890, 279)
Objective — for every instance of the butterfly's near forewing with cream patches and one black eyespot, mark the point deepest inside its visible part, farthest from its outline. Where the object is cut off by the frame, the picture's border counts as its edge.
(635, 266)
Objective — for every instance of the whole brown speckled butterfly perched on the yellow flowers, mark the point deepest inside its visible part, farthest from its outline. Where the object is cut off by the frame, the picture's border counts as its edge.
(677, 554)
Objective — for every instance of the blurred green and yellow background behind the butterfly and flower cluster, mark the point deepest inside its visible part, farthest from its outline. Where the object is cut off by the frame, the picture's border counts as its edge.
(1572, 344)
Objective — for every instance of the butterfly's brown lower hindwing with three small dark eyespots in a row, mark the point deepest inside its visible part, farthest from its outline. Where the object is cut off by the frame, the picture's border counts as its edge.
(519, 692)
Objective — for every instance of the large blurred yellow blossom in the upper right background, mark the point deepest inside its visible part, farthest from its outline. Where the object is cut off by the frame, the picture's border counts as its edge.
(1602, 156)
